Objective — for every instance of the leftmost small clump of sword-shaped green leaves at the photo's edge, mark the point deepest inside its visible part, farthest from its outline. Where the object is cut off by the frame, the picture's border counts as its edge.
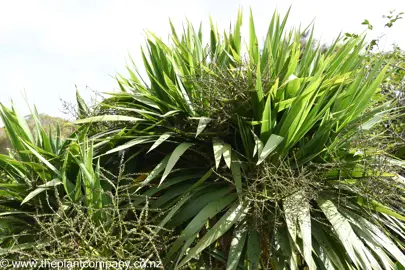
(27, 167)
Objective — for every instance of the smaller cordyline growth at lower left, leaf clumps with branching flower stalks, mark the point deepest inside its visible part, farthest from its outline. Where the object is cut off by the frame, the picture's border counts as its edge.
(40, 219)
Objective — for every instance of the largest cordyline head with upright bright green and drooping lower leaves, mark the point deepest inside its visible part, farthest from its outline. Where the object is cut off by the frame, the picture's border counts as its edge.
(250, 156)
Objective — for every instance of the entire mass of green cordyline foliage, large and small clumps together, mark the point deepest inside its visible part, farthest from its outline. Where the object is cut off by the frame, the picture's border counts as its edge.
(223, 157)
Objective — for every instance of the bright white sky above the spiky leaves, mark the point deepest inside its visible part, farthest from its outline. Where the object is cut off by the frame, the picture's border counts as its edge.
(47, 48)
